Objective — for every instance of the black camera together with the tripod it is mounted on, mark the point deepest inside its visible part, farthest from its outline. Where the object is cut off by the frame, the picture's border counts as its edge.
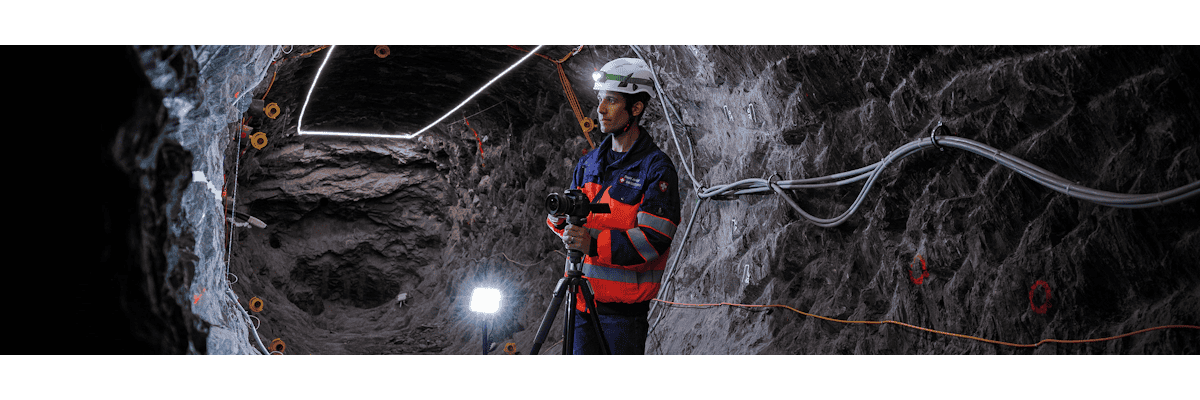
(575, 207)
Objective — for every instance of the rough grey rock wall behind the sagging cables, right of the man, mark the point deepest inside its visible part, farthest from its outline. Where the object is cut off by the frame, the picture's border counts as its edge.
(1118, 120)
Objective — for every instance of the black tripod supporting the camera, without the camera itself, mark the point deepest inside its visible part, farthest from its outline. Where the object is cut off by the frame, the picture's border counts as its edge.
(568, 286)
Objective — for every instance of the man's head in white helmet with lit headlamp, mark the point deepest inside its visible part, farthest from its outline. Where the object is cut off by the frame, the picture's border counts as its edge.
(625, 88)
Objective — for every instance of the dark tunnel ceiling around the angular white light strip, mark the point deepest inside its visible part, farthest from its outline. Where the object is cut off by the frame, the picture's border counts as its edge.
(410, 88)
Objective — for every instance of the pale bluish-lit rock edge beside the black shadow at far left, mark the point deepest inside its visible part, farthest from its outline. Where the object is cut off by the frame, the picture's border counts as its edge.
(202, 99)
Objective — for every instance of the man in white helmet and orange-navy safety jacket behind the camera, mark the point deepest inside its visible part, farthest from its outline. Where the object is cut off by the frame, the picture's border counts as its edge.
(627, 250)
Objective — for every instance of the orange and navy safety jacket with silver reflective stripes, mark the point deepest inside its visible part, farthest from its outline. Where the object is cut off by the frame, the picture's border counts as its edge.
(631, 246)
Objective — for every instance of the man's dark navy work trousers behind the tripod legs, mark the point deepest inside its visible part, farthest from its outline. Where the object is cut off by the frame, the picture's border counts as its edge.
(626, 335)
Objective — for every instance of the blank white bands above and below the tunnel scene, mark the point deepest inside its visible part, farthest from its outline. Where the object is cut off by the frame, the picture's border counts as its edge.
(224, 22)
